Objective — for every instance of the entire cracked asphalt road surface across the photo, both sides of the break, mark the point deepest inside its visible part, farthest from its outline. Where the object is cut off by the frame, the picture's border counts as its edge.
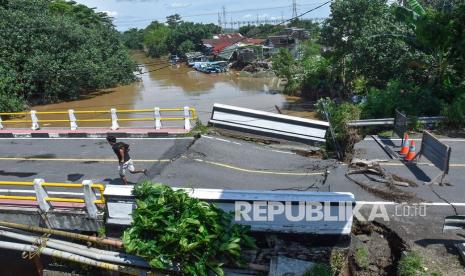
(224, 163)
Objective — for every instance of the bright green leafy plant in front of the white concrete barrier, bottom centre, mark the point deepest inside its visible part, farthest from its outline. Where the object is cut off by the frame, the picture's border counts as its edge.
(171, 229)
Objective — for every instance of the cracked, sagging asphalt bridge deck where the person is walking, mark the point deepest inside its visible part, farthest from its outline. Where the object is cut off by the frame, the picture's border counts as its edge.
(207, 162)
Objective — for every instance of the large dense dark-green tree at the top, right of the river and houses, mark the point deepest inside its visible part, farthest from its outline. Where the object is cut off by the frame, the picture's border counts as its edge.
(359, 46)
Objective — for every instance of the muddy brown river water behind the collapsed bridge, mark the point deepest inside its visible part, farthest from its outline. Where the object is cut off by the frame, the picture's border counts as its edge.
(165, 86)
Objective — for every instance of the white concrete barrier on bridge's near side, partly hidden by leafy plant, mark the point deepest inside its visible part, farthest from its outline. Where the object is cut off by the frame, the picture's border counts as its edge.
(265, 211)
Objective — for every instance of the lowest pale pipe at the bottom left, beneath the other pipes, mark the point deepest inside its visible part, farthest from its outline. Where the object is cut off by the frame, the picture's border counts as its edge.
(72, 257)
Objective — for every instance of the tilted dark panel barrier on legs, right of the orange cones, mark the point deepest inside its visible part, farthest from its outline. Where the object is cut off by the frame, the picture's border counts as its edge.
(436, 152)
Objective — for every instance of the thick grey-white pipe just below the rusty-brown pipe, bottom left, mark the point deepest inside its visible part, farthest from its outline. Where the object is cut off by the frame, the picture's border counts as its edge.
(86, 252)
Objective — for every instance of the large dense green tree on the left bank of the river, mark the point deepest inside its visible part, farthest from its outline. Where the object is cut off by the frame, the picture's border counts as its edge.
(57, 50)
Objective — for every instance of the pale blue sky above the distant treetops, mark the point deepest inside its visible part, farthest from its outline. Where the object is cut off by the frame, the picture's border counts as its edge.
(139, 13)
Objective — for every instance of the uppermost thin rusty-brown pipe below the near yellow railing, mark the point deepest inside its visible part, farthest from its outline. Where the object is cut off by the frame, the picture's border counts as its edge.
(115, 243)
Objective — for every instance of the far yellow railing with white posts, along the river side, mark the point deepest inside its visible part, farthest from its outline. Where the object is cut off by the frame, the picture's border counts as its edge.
(188, 115)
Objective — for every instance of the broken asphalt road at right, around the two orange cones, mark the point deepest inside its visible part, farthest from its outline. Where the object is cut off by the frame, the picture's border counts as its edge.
(422, 232)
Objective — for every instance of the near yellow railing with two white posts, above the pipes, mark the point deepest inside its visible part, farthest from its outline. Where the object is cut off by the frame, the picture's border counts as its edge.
(89, 197)
